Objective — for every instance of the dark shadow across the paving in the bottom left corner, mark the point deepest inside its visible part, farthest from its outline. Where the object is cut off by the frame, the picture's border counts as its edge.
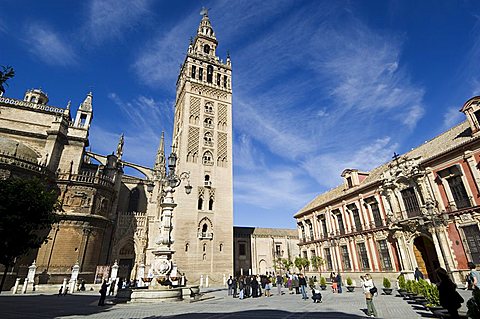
(50, 306)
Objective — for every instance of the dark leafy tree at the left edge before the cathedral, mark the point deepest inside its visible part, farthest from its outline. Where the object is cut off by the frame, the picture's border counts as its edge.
(26, 215)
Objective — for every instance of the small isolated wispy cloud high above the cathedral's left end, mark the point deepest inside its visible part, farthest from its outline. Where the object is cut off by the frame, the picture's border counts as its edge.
(49, 46)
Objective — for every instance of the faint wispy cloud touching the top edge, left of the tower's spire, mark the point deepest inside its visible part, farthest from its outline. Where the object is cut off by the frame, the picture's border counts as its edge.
(110, 19)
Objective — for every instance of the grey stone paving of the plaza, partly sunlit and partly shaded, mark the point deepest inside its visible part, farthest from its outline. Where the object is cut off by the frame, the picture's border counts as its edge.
(84, 305)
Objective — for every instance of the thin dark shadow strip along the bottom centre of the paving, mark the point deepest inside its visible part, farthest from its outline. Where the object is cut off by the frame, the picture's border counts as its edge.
(264, 314)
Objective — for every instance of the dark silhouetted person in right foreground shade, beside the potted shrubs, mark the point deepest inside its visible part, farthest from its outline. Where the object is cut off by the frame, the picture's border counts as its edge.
(450, 299)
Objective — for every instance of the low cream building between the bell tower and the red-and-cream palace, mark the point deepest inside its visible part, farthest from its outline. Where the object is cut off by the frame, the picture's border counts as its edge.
(260, 250)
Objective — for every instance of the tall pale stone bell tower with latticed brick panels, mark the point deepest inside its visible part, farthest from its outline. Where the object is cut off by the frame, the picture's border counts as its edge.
(202, 139)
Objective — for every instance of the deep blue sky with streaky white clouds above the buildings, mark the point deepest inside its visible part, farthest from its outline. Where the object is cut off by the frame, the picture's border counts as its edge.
(318, 86)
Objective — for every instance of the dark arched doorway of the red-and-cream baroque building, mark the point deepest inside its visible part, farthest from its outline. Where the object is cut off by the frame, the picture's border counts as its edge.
(426, 257)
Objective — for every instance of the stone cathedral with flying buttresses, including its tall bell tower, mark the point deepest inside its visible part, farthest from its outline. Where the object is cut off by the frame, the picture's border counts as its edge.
(110, 217)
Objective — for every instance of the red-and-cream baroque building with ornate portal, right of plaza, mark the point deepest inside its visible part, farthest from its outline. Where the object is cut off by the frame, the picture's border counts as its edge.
(419, 210)
